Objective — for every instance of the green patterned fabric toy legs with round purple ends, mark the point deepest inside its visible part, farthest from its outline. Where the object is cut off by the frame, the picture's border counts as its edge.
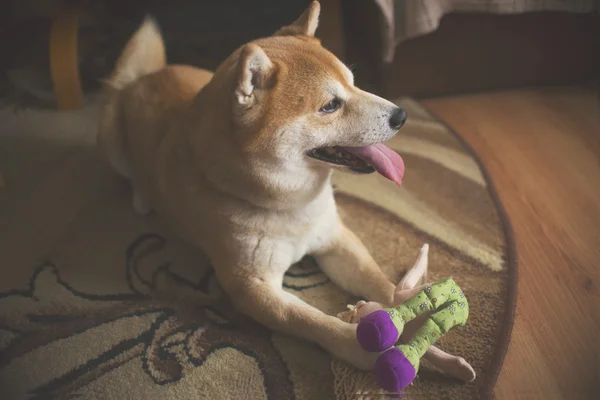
(379, 331)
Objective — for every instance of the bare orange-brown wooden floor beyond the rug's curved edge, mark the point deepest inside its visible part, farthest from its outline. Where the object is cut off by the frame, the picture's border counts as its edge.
(542, 150)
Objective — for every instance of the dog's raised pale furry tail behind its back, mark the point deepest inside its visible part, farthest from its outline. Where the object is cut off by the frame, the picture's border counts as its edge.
(143, 55)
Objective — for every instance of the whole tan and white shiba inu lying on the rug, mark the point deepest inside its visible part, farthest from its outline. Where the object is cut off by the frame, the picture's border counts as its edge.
(239, 163)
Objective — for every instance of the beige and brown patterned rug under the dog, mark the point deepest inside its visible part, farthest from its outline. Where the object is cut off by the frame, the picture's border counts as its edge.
(97, 302)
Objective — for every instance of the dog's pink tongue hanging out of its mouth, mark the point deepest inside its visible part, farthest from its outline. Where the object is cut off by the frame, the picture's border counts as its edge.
(385, 160)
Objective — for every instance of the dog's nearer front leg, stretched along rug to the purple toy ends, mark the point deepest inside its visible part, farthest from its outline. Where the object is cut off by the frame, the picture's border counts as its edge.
(265, 301)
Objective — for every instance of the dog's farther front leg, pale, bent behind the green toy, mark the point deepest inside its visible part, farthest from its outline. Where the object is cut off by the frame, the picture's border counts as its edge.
(348, 263)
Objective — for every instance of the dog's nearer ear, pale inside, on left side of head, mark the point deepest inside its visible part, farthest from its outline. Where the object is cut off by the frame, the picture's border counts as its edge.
(255, 71)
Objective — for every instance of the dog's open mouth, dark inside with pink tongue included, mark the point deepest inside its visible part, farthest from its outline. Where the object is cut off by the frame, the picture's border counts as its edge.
(364, 160)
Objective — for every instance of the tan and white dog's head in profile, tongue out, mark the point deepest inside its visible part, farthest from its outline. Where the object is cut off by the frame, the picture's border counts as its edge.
(295, 103)
